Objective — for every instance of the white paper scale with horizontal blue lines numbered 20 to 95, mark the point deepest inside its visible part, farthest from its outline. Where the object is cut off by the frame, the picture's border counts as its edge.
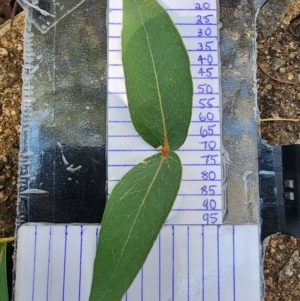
(200, 199)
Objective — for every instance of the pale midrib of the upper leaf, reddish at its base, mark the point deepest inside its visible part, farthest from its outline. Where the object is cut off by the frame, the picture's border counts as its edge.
(166, 141)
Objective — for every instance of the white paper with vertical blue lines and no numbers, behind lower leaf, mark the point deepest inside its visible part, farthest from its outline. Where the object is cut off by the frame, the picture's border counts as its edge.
(187, 263)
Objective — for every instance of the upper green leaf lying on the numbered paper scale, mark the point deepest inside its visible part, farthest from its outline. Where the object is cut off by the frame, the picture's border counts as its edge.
(157, 74)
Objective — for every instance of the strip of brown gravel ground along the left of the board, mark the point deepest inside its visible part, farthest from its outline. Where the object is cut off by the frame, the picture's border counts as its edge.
(11, 60)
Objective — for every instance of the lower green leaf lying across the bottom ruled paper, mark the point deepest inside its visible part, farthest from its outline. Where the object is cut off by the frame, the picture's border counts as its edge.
(134, 215)
